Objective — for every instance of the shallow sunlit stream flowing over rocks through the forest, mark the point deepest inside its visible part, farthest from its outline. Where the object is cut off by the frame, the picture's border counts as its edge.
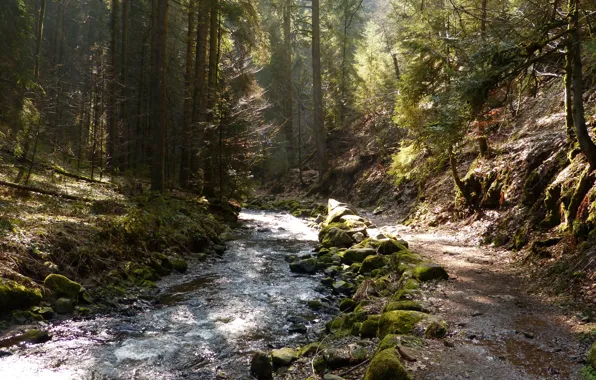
(207, 323)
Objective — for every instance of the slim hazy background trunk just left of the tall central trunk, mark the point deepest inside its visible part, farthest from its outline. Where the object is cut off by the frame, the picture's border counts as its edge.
(287, 70)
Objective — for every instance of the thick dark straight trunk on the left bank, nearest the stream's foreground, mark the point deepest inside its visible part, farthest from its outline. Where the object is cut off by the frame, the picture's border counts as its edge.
(160, 112)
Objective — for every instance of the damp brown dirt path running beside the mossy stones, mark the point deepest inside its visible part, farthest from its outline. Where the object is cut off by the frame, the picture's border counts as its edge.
(497, 329)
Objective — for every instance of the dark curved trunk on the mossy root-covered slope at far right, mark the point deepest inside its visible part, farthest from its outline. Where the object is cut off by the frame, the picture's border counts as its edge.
(583, 137)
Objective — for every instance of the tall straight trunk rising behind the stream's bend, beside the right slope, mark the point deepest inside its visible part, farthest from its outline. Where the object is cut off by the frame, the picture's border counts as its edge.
(319, 126)
